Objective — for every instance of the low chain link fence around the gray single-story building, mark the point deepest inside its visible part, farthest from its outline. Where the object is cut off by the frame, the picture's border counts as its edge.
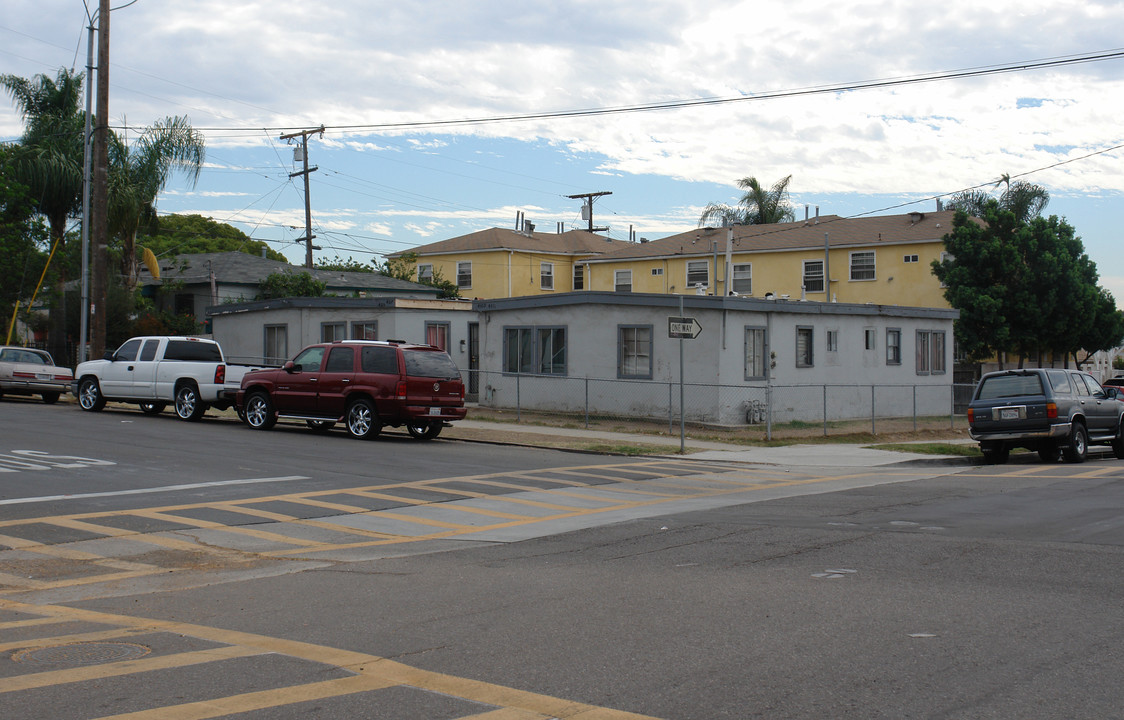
(764, 412)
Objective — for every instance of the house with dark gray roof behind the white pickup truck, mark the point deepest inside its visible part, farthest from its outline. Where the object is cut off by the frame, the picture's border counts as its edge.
(195, 282)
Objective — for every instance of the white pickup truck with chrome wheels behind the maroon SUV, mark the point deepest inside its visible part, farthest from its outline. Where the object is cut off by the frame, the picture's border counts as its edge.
(189, 372)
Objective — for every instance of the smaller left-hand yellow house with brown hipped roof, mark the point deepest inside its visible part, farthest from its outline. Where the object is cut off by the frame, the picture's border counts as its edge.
(502, 263)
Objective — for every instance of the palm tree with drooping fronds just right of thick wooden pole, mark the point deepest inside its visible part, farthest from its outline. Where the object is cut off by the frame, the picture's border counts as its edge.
(140, 172)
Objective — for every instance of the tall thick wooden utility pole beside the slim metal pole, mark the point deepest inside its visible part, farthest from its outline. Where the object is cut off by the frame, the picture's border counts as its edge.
(99, 214)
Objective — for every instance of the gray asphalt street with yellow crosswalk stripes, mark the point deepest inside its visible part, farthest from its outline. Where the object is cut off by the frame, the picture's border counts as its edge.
(515, 584)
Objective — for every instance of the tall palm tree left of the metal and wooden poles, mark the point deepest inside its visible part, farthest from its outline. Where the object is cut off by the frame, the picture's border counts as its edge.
(49, 162)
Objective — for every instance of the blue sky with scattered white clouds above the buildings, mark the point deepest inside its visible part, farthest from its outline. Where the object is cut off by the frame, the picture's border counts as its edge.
(425, 106)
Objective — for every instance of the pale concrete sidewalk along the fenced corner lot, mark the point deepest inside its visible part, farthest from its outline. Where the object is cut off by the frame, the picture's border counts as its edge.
(808, 455)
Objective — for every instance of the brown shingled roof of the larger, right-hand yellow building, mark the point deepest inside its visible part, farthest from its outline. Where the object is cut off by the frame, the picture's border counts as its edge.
(893, 230)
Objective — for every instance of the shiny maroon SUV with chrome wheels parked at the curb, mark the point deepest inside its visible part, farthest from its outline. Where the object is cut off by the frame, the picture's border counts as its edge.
(365, 385)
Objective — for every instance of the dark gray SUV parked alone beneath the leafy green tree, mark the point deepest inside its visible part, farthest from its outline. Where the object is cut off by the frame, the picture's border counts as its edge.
(1057, 413)
